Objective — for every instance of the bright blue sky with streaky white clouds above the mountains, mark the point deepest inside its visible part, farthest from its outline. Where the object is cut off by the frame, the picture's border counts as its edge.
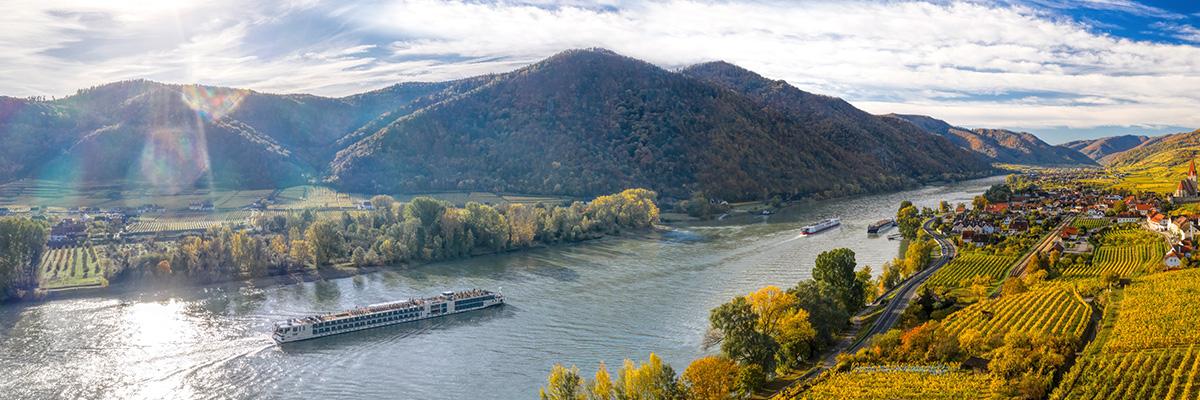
(1063, 70)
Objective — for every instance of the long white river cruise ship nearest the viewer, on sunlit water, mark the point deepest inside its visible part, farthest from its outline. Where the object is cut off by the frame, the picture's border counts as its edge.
(386, 314)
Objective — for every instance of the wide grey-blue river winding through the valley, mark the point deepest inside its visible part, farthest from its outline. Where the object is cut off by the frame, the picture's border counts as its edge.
(608, 300)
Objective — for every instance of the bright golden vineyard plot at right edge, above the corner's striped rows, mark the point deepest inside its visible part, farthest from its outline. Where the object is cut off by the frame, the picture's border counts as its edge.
(1159, 312)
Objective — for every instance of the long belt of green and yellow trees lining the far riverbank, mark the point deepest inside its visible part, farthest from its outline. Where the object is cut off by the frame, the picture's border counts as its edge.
(311, 246)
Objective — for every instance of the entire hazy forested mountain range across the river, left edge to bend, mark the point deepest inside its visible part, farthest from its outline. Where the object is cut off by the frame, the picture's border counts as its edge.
(580, 123)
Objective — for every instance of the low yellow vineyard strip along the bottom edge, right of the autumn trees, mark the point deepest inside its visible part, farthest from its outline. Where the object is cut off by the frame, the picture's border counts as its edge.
(902, 383)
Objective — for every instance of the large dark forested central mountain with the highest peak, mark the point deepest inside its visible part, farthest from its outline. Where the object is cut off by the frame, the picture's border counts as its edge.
(601, 121)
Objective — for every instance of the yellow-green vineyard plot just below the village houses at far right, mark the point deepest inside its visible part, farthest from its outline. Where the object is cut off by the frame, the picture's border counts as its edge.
(1126, 252)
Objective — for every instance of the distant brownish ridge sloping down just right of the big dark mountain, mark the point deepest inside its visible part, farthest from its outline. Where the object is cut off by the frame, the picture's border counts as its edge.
(1001, 146)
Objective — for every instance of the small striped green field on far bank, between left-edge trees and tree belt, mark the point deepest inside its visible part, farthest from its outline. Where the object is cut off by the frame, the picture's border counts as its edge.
(71, 267)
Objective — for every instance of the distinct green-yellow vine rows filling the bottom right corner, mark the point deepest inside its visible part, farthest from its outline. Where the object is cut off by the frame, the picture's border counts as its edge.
(1153, 374)
